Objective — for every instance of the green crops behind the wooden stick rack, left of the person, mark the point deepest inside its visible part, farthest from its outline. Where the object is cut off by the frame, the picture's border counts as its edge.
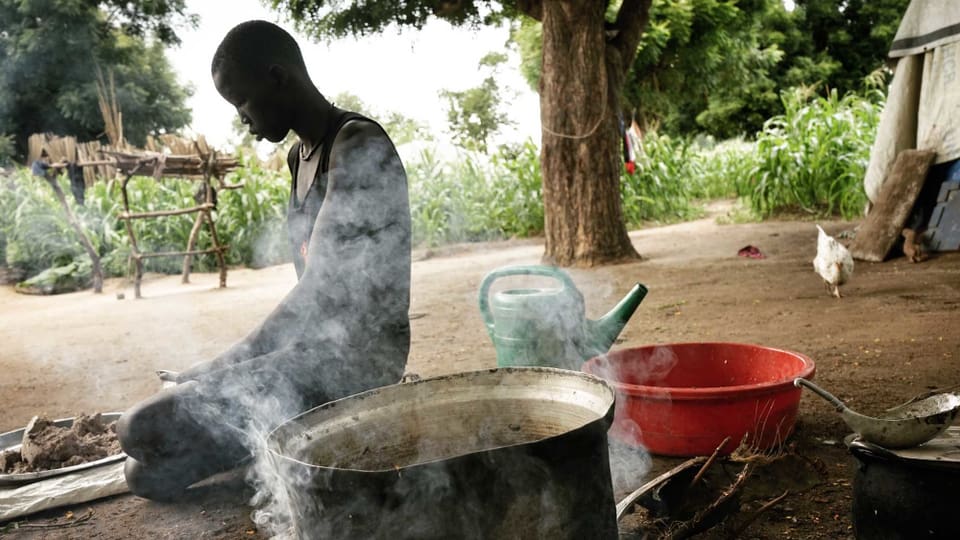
(35, 234)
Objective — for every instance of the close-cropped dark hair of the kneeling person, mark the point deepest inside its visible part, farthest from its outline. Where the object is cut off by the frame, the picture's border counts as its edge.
(258, 44)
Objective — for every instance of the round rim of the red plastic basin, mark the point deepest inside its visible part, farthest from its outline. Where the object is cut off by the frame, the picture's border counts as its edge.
(674, 393)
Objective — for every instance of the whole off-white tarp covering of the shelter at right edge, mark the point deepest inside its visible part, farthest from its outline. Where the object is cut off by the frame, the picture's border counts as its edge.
(923, 101)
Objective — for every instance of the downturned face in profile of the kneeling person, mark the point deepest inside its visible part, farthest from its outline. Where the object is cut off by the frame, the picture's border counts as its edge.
(257, 100)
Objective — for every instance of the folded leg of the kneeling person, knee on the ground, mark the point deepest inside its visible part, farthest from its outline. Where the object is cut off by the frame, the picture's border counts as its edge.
(204, 426)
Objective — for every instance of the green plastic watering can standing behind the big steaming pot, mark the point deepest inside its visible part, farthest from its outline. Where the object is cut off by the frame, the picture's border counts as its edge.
(548, 327)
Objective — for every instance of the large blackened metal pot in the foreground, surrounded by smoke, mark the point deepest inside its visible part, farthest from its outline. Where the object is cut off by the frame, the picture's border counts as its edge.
(504, 453)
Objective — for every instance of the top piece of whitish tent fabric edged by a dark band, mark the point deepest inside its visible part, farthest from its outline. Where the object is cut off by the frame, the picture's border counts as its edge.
(926, 25)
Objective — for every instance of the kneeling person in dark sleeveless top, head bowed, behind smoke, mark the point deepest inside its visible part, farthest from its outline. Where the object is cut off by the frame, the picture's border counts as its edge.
(344, 327)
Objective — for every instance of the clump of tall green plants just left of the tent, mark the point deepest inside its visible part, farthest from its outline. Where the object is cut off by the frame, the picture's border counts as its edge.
(812, 158)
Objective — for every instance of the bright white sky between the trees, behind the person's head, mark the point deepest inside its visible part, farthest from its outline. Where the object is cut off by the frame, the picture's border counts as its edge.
(400, 70)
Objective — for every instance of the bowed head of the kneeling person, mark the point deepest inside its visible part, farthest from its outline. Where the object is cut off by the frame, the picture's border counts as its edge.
(259, 69)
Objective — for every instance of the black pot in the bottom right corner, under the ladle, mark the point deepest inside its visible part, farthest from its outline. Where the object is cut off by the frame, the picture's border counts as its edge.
(907, 494)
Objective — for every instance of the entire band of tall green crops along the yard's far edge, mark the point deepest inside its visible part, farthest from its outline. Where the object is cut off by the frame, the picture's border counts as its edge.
(810, 159)
